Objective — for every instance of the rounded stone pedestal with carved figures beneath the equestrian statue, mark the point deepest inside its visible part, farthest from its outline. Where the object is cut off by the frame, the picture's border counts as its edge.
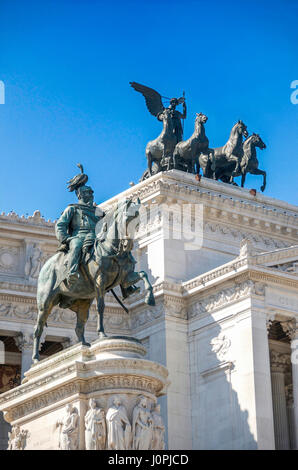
(110, 381)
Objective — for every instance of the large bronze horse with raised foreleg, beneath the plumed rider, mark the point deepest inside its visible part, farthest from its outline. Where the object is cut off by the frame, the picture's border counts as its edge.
(110, 264)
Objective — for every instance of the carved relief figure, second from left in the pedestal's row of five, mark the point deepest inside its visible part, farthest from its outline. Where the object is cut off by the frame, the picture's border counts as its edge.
(95, 427)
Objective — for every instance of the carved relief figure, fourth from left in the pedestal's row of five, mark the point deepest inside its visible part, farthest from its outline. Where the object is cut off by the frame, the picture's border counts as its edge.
(142, 425)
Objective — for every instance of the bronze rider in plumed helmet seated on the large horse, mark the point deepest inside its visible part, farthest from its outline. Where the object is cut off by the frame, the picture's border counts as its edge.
(75, 228)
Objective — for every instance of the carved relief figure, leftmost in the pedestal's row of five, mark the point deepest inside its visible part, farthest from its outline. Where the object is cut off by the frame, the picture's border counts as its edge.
(69, 429)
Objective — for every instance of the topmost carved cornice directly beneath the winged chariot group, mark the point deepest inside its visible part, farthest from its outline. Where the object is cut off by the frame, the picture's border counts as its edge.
(223, 198)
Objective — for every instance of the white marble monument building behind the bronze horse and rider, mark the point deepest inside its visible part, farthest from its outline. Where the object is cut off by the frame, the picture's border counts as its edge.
(224, 324)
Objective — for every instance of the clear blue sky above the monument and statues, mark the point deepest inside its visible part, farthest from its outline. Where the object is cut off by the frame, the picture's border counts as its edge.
(67, 66)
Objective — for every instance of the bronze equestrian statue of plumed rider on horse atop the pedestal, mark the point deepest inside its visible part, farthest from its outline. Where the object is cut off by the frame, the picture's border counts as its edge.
(89, 264)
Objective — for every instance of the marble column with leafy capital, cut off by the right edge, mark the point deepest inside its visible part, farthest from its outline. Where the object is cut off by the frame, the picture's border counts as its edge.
(291, 329)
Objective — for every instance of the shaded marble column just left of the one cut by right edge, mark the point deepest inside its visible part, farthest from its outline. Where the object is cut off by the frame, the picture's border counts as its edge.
(279, 363)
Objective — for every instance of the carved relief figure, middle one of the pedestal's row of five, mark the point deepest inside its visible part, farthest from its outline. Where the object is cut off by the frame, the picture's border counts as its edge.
(118, 426)
